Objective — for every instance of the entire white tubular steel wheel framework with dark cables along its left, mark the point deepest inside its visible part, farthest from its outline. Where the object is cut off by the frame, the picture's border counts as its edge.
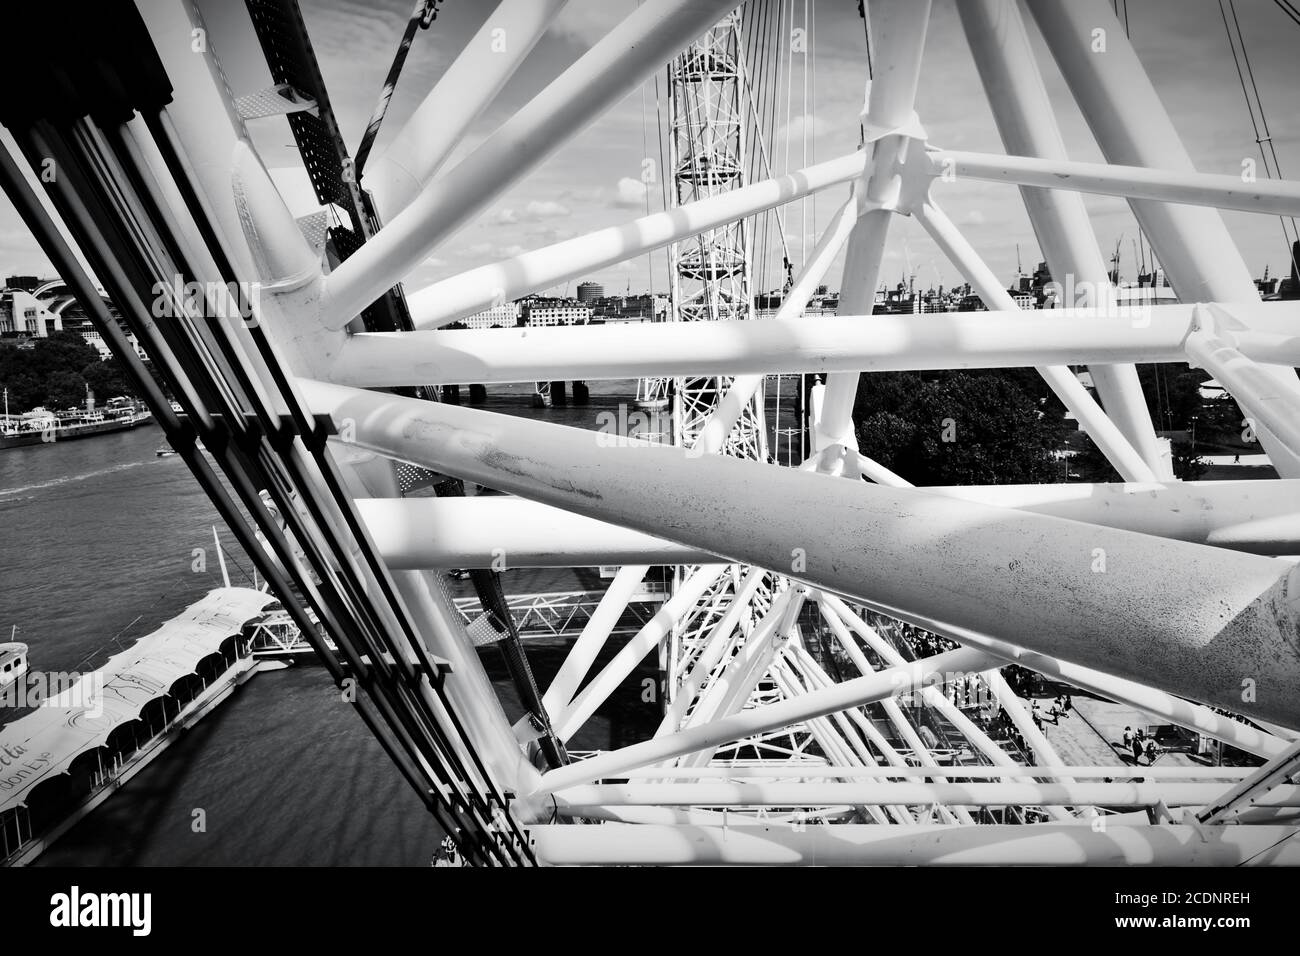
(827, 716)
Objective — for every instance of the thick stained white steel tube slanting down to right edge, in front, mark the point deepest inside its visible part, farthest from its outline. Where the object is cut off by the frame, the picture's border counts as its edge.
(1197, 621)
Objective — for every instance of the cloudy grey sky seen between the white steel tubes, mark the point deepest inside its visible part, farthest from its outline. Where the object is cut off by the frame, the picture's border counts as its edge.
(595, 179)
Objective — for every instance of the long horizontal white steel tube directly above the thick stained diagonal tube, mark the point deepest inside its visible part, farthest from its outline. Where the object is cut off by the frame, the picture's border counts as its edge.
(951, 340)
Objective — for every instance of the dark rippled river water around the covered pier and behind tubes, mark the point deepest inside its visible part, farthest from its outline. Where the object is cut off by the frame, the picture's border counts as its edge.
(98, 547)
